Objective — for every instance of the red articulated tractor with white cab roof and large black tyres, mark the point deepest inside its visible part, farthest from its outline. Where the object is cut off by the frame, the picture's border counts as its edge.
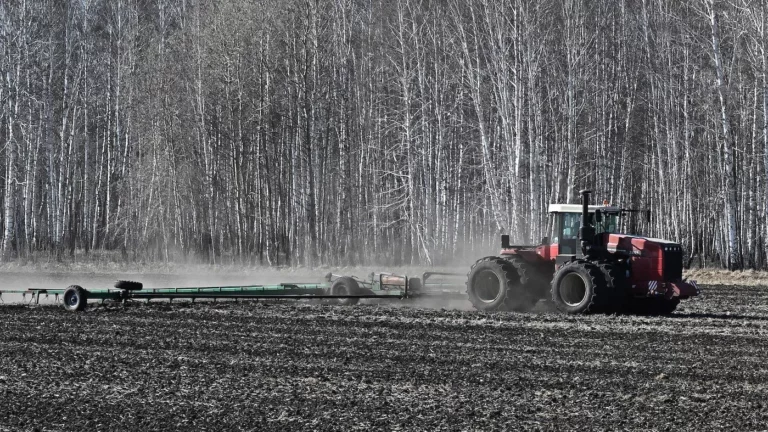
(587, 267)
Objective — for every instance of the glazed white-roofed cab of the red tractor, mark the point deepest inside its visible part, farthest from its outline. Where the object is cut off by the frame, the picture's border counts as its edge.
(567, 221)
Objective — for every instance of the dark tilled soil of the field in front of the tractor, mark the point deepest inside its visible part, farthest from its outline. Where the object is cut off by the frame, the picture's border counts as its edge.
(292, 366)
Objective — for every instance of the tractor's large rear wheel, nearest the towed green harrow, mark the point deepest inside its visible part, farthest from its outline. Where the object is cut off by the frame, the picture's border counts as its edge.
(495, 284)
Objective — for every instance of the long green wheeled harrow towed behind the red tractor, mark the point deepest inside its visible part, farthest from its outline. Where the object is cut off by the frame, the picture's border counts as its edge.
(344, 290)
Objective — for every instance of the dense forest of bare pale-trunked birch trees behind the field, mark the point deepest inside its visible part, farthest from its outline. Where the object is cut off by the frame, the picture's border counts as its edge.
(308, 132)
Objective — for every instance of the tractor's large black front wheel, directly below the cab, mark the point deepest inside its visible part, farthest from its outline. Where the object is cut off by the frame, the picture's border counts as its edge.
(577, 286)
